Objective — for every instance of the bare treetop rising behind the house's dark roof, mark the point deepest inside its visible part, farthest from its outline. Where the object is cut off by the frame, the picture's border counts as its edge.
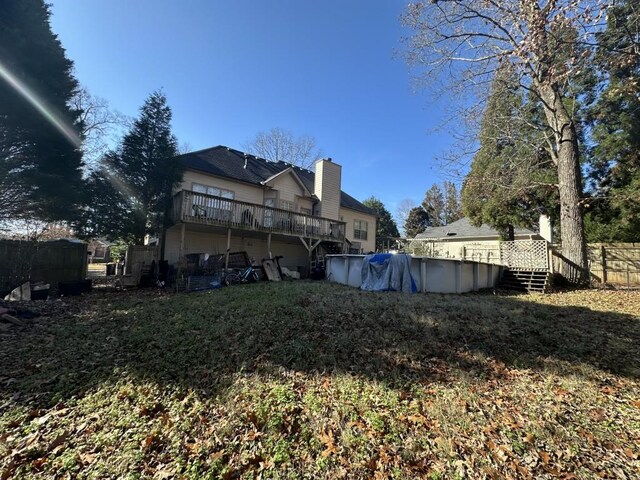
(279, 145)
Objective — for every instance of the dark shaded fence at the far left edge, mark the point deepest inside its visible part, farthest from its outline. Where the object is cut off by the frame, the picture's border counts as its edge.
(49, 262)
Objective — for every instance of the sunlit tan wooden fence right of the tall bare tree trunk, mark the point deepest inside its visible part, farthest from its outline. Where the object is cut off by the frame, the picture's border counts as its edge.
(612, 263)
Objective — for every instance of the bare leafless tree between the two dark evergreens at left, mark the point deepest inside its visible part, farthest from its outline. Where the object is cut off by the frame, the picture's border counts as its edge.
(100, 125)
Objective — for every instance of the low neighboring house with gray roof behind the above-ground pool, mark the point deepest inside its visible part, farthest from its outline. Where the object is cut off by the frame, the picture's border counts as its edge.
(460, 239)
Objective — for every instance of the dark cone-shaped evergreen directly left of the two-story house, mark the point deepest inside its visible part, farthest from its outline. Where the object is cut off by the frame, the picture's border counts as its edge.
(132, 191)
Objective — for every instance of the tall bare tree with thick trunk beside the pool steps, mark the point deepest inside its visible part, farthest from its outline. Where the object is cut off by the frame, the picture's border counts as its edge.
(547, 43)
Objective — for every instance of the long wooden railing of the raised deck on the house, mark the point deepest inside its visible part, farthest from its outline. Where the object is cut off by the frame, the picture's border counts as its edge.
(203, 209)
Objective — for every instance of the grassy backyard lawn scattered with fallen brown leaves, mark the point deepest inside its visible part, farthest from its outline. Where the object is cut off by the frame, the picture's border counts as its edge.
(315, 380)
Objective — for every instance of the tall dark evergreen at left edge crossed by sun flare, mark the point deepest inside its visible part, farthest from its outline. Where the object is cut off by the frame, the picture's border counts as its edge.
(40, 159)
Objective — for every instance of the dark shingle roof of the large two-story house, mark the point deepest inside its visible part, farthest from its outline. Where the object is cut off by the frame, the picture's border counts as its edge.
(230, 163)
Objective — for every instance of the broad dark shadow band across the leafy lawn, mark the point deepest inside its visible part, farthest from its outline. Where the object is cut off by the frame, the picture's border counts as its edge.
(200, 341)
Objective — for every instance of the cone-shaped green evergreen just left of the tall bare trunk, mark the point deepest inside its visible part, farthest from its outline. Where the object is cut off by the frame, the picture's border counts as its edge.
(512, 179)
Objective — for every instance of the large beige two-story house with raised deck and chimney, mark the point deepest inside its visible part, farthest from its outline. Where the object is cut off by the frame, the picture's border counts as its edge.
(232, 200)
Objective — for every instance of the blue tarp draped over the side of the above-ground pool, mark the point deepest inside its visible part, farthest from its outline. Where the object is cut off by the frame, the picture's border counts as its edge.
(387, 272)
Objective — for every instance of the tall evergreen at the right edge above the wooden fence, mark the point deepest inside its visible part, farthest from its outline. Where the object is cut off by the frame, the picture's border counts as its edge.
(615, 117)
